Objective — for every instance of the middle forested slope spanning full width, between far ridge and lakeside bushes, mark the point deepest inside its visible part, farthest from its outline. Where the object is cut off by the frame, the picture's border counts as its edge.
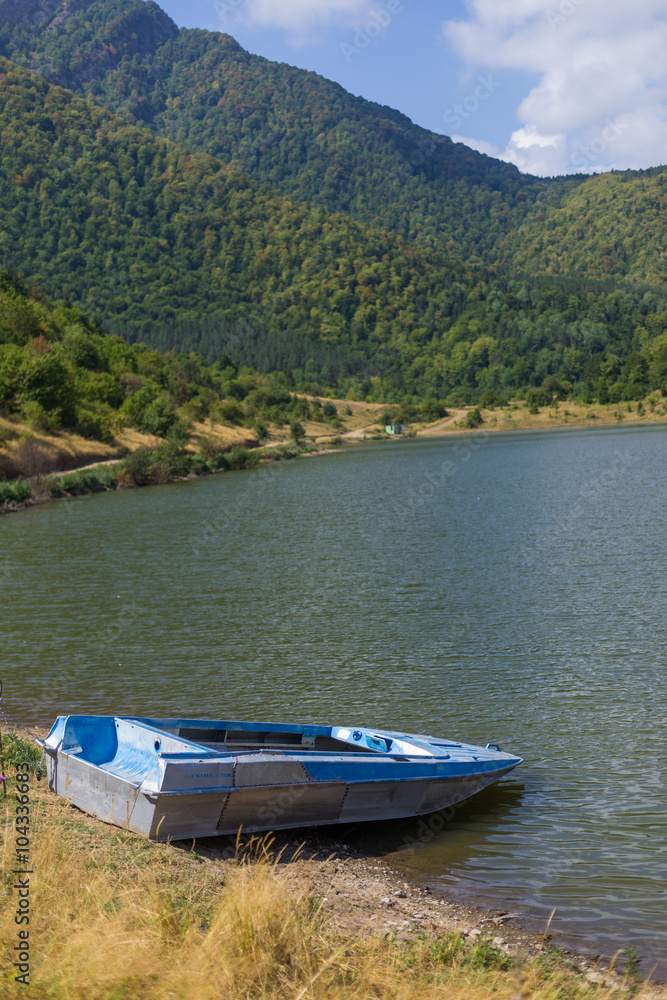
(169, 246)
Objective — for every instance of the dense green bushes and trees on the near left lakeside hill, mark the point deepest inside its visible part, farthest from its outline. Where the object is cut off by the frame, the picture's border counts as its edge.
(60, 371)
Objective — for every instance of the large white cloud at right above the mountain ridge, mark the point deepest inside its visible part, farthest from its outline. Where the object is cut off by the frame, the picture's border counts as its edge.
(601, 100)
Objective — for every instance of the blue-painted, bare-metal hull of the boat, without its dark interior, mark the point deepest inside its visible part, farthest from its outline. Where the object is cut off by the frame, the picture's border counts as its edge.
(187, 790)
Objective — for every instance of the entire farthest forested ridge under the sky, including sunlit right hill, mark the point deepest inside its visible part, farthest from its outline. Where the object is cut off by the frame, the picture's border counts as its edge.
(308, 138)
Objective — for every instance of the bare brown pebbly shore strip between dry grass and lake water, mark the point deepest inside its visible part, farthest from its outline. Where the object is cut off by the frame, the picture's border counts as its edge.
(359, 894)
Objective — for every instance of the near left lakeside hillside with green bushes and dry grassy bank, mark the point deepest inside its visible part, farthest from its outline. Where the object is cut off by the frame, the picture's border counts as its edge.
(71, 394)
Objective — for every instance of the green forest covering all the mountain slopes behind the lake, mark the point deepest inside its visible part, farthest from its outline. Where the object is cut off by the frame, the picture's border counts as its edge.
(202, 200)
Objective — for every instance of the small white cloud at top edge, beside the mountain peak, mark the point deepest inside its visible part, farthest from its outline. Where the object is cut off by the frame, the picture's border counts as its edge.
(301, 18)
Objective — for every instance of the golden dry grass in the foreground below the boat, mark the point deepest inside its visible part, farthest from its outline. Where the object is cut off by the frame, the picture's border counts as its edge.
(114, 917)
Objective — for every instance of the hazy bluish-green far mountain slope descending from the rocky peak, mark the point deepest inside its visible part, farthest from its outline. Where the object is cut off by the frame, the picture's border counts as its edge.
(285, 127)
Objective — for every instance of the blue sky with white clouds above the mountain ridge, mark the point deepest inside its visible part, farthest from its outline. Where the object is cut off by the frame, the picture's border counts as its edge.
(553, 86)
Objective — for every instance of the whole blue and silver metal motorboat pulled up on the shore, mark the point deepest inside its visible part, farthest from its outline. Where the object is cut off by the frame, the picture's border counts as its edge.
(171, 779)
